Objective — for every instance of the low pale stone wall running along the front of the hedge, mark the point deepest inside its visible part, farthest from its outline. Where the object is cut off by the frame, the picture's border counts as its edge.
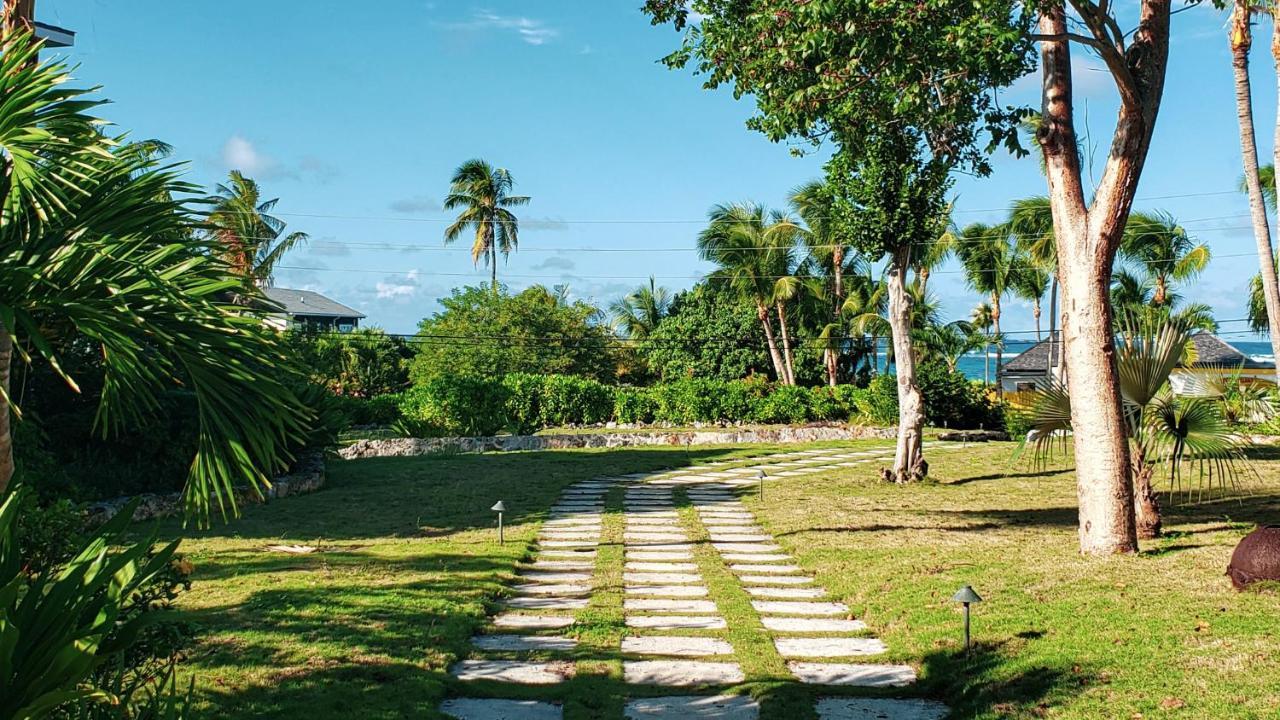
(406, 448)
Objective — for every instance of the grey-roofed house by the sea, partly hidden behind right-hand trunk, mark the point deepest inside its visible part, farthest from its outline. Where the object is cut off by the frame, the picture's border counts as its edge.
(1215, 361)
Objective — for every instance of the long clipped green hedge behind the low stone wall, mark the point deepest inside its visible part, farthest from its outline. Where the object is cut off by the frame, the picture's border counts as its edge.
(525, 403)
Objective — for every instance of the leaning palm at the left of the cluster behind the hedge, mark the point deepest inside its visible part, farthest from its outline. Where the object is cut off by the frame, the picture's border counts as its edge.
(743, 240)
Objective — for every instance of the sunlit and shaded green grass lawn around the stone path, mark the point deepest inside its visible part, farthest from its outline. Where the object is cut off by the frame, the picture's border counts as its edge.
(410, 567)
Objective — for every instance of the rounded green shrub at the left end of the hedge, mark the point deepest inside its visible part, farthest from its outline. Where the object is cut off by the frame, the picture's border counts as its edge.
(458, 405)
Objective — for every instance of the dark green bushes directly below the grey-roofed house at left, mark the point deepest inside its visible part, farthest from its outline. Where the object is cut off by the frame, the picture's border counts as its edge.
(365, 363)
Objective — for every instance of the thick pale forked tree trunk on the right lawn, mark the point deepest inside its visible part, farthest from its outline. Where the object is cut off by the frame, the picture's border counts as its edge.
(1087, 243)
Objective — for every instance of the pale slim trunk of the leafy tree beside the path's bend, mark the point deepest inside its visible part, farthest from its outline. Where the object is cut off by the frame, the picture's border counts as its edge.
(909, 463)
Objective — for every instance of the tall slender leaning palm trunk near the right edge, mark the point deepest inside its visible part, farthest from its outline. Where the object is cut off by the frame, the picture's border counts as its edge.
(1241, 40)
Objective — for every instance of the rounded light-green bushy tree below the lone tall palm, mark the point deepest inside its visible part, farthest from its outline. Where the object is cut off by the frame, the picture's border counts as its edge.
(487, 335)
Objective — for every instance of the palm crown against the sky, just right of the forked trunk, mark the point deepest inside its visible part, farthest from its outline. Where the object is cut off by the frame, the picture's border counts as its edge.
(1163, 252)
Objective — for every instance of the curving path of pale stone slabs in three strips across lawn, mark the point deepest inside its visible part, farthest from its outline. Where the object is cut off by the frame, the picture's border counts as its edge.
(676, 635)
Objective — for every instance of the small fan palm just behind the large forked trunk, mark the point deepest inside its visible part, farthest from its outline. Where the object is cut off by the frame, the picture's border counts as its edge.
(1165, 431)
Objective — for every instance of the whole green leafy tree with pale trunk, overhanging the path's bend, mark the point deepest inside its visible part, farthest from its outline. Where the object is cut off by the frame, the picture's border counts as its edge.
(900, 88)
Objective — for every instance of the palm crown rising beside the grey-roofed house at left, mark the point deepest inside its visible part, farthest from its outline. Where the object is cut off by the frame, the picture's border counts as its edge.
(249, 239)
